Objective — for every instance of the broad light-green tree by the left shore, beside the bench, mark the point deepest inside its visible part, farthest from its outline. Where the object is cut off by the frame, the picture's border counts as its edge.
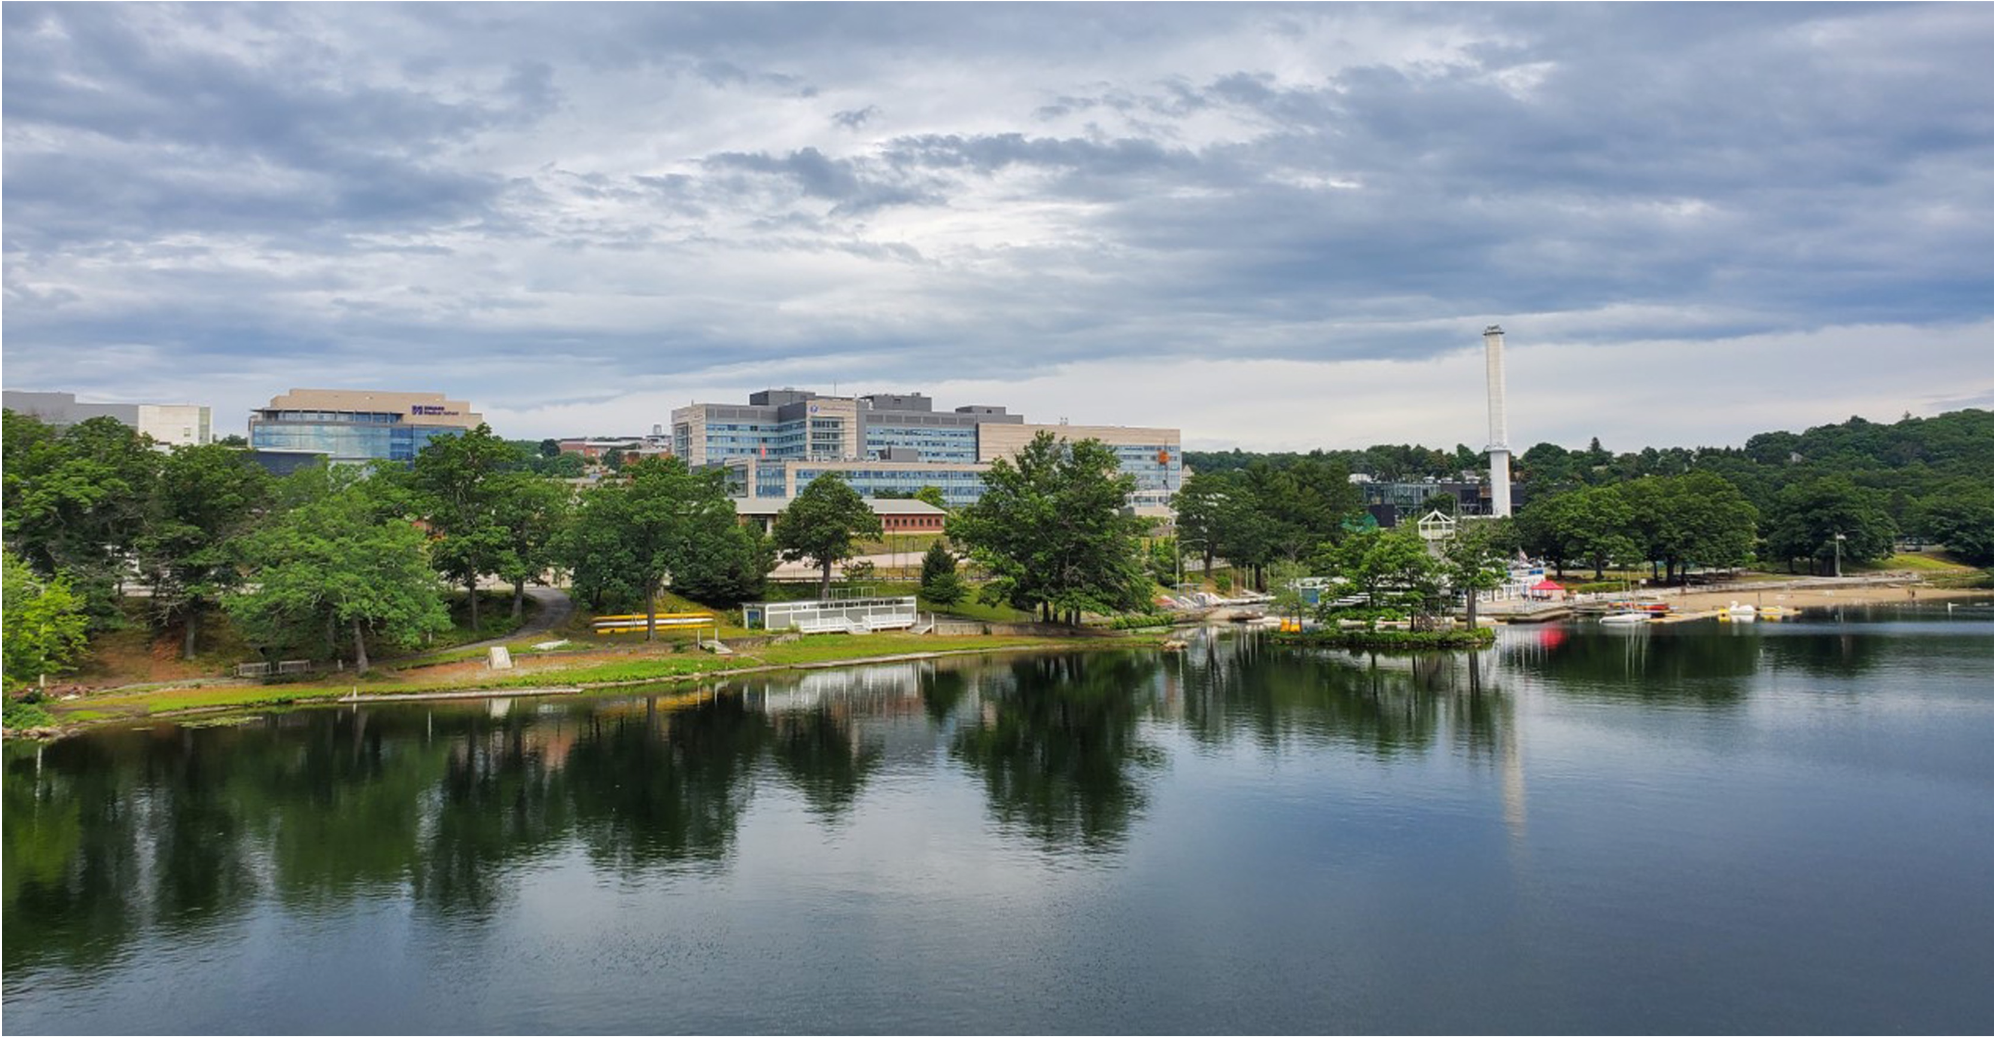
(339, 562)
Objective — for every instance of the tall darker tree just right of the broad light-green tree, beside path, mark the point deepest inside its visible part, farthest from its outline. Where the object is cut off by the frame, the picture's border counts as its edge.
(459, 488)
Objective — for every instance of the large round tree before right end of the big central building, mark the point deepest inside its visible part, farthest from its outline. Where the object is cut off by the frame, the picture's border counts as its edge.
(1052, 530)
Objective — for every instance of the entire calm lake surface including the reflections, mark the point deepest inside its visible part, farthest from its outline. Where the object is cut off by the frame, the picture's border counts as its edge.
(1693, 829)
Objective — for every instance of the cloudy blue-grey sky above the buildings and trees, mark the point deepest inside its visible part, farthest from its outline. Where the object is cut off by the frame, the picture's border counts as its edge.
(1276, 227)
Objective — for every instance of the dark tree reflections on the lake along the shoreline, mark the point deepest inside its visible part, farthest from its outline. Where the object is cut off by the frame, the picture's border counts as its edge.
(175, 829)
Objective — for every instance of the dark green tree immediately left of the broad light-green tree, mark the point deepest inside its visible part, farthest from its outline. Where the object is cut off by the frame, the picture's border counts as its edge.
(203, 498)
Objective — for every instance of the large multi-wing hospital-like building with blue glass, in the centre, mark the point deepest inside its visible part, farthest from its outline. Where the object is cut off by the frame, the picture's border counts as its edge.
(890, 444)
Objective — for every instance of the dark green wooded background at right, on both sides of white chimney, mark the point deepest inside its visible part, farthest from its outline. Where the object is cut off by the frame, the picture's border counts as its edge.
(1811, 498)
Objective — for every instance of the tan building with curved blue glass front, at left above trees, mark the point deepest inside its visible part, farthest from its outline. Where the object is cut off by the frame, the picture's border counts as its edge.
(355, 426)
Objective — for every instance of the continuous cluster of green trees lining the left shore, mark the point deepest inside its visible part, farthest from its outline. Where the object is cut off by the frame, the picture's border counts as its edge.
(335, 560)
